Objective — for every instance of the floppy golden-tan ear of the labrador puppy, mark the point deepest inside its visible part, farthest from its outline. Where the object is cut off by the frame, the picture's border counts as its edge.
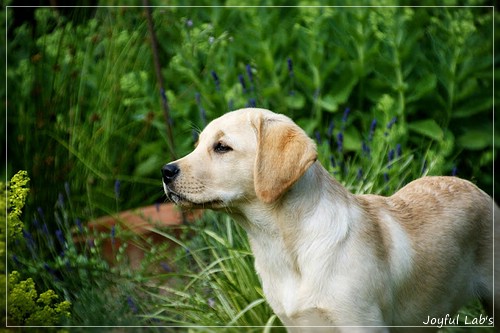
(284, 153)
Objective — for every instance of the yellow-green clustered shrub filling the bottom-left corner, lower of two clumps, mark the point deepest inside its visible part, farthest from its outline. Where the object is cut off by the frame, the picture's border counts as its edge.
(26, 307)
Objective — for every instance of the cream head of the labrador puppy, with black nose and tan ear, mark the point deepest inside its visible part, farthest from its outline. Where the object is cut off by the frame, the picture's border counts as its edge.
(242, 156)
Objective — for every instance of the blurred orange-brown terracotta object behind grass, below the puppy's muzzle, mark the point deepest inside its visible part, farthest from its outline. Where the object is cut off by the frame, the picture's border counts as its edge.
(140, 221)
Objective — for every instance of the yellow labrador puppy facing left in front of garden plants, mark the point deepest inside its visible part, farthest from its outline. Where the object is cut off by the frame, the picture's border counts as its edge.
(327, 257)
